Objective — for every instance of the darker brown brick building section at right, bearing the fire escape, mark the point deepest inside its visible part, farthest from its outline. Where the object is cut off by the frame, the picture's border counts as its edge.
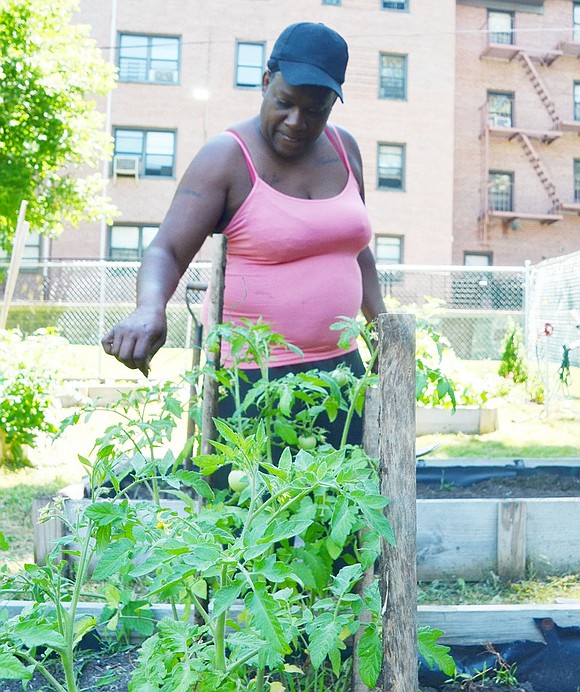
(517, 121)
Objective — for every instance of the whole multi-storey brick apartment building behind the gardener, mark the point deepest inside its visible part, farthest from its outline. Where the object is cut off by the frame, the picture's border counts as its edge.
(467, 114)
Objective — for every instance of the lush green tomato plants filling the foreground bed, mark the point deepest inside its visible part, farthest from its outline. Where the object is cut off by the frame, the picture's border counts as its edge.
(272, 571)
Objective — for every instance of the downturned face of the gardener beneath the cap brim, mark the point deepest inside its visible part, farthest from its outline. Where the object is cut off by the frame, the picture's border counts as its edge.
(293, 117)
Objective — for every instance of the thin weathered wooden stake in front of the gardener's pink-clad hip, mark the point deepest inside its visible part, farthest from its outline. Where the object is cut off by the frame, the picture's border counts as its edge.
(216, 306)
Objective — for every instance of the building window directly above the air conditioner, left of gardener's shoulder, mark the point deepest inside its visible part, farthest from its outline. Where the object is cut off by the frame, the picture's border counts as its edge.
(154, 148)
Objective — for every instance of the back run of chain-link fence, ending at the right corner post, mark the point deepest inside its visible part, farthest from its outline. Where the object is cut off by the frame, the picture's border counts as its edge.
(472, 306)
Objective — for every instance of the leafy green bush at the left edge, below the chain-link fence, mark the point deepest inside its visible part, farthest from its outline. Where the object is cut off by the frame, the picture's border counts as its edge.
(27, 383)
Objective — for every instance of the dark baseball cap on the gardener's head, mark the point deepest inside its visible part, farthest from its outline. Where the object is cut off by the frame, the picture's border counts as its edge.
(311, 54)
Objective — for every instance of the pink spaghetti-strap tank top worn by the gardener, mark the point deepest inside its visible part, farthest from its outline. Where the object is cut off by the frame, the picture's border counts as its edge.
(293, 263)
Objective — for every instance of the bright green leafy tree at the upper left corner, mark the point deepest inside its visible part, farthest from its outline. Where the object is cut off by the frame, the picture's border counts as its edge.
(52, 138)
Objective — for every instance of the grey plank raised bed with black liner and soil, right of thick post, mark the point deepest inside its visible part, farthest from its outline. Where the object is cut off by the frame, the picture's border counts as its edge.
(469, 537)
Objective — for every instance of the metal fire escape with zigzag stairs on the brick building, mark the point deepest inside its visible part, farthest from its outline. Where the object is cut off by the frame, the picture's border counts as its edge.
(531, 141)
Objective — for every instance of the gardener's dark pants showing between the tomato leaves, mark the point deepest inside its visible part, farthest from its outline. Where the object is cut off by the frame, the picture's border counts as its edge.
(334, 428)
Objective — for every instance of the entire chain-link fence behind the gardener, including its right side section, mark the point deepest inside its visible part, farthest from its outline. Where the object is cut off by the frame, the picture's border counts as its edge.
(473, 307)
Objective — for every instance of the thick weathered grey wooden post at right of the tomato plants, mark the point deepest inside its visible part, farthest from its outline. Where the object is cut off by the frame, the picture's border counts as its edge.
(398, 568)
